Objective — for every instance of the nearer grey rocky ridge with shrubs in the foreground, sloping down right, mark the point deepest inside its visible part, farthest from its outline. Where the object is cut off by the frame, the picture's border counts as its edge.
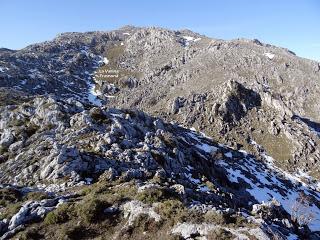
(53, 150)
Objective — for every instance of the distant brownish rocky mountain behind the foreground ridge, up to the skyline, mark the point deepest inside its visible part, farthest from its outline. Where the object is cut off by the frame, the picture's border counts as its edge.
(188, 78)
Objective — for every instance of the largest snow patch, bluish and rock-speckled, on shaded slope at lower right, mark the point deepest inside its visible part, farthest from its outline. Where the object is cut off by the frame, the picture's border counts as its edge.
(266, 183)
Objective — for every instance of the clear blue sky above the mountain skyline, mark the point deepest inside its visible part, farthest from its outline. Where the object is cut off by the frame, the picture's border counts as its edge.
(293, 24)
